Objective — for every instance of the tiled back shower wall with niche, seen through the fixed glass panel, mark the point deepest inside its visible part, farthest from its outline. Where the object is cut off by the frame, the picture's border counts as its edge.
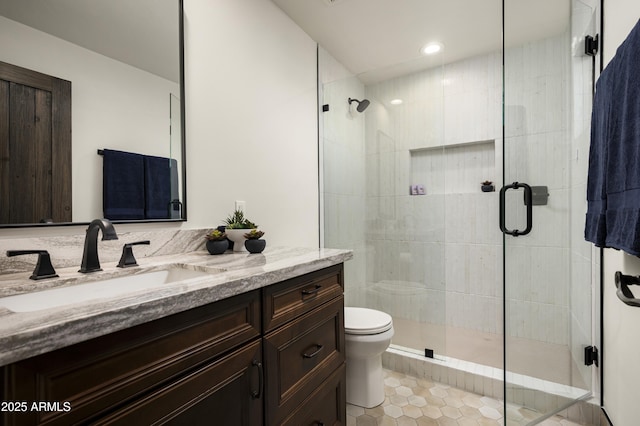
(444, 245)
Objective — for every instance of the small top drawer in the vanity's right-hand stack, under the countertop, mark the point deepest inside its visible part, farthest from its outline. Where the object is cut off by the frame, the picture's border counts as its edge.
(288, 300)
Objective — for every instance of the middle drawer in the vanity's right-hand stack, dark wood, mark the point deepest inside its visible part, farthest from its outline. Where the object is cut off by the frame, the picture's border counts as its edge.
(300, 356)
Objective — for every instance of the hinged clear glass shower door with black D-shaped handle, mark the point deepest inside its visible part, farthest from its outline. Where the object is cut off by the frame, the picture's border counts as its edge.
(547, 263)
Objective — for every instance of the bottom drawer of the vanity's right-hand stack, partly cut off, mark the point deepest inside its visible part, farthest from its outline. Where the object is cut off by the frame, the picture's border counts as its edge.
(326, 406)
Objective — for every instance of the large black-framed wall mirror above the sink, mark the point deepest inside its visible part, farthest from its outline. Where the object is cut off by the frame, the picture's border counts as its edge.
(123, 61)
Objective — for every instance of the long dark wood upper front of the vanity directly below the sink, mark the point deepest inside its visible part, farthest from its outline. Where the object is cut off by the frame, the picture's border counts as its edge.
(99, 374)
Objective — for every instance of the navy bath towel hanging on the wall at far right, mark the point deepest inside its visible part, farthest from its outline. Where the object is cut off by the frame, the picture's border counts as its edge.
(613, 186)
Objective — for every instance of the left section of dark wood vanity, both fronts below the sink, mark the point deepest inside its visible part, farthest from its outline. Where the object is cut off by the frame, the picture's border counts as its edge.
(160, 365)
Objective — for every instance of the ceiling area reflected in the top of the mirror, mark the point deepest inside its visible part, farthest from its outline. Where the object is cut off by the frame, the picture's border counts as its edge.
(142, 33)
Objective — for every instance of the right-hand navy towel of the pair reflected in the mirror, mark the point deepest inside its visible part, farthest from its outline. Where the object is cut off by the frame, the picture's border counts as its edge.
(157, 183)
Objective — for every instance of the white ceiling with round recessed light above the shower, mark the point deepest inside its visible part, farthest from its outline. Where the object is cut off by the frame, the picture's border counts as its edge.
(381, 39)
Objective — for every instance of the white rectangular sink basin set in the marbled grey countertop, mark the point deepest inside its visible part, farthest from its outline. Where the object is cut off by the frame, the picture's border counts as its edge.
(108, 288)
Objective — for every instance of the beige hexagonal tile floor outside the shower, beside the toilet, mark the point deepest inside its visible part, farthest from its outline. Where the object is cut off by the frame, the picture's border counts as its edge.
(413, 401)
